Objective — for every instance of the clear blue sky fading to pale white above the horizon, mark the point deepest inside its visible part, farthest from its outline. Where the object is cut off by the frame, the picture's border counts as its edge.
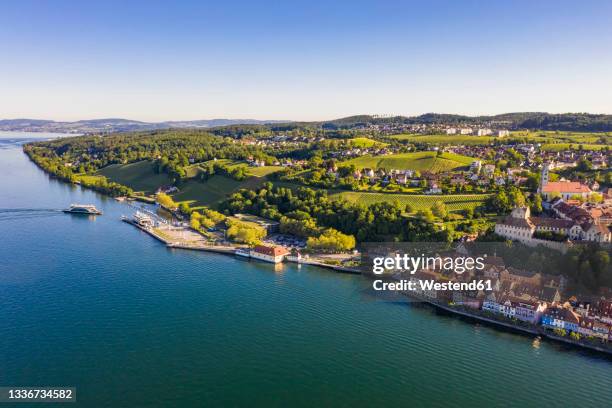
(302, 60)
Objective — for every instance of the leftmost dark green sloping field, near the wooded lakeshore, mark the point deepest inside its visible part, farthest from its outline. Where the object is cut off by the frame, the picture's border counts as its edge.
(139, 176)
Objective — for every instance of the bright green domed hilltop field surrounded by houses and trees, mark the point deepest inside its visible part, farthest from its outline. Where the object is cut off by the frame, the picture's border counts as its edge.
(422, 161)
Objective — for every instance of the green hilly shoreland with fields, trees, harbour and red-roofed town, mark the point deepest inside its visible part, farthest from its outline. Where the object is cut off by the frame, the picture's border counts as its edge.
(313, 192)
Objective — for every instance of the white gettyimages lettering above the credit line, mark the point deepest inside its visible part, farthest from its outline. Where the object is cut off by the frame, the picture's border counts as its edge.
(411, 264)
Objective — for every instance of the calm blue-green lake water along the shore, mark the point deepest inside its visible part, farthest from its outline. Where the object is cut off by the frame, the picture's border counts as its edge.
(98, 305)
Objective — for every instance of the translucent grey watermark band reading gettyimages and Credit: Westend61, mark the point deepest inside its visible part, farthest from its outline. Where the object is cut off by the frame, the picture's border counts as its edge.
(462, 273)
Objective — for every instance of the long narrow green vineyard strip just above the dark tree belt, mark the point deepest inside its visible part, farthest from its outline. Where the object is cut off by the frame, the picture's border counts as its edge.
(417, 202)
